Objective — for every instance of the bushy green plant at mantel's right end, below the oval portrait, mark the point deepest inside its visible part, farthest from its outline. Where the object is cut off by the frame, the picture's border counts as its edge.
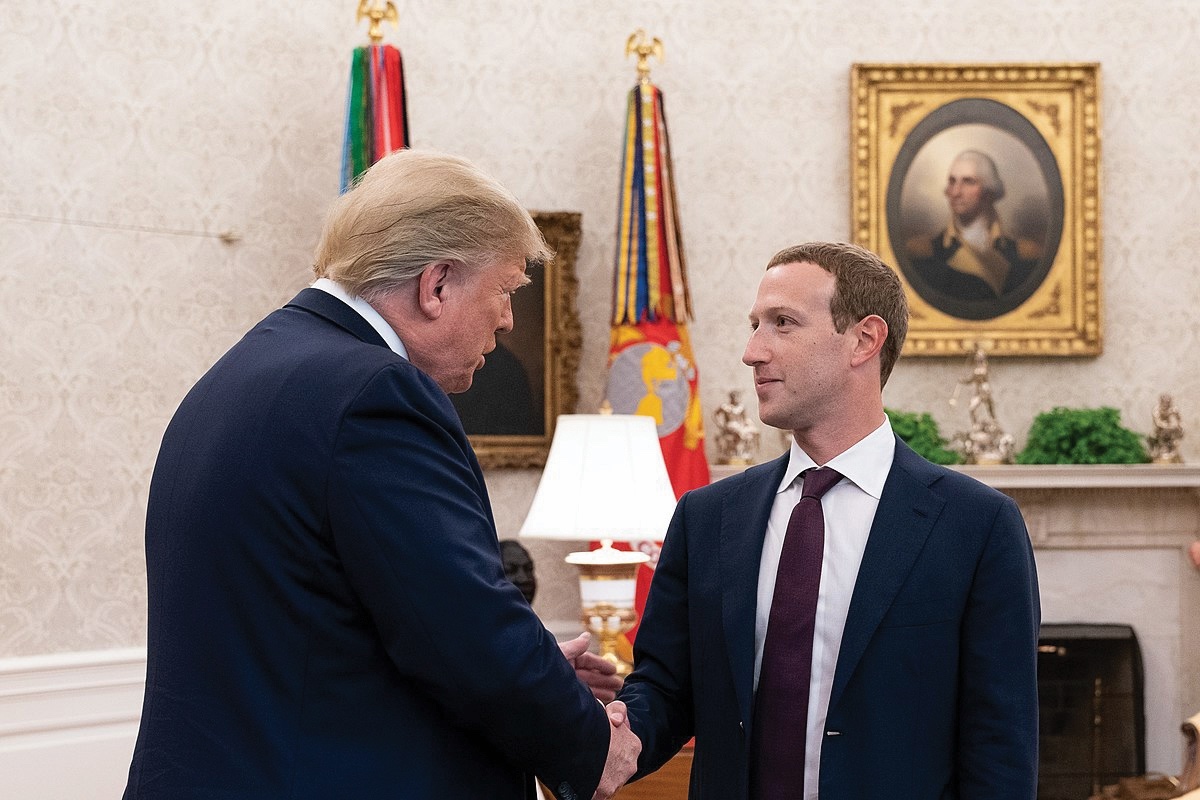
(1082, 436)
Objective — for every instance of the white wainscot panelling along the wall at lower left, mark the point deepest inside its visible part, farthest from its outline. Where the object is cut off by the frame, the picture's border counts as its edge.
(68, 724)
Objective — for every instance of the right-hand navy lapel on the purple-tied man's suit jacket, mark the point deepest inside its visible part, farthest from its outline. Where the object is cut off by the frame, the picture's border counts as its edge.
(903, 521)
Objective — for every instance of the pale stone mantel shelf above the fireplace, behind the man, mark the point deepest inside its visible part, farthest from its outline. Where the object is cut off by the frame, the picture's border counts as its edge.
(1067, 477)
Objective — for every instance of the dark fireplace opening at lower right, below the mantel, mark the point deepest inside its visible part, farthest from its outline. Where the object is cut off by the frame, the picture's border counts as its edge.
(1093, 711)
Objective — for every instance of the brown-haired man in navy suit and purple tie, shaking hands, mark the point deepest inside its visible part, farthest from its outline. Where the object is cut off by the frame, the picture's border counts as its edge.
(848, 622)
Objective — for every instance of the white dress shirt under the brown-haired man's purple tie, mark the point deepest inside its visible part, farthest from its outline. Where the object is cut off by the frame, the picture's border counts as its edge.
(849, 510)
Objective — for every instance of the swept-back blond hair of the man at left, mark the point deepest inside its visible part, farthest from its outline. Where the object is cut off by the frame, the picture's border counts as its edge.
(417, 208)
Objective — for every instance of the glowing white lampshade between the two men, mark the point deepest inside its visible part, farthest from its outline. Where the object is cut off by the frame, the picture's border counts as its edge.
(604, 479)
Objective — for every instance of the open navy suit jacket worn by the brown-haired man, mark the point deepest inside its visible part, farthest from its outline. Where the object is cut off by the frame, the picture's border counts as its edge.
(935, 690)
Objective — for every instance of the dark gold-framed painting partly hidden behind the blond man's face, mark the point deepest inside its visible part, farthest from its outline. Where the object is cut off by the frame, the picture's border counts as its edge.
(531, 378)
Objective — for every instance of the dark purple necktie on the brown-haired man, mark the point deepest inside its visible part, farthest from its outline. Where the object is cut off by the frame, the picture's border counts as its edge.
(782, 703)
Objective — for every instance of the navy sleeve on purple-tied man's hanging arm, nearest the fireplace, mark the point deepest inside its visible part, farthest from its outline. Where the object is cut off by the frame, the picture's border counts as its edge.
(998, 727)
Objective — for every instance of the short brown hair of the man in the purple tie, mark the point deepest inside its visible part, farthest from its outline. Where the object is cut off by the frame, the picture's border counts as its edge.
(865, 286)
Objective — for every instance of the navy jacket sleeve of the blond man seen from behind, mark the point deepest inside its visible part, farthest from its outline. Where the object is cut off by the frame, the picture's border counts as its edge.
(413, 528)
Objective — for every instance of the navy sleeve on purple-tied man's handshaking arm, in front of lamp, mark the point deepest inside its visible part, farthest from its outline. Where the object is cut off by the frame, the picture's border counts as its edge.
(659, 693)
